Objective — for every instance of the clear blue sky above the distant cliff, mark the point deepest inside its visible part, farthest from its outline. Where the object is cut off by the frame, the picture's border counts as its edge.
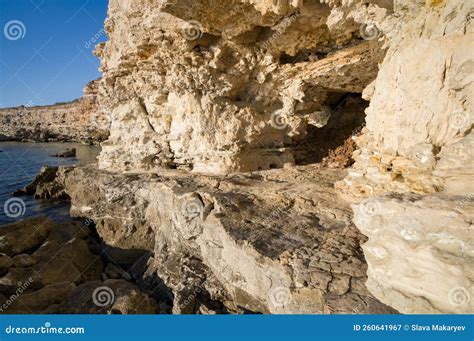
(46, 49)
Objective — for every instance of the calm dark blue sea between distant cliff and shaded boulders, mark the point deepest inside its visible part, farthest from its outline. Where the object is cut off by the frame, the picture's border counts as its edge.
(20, 163)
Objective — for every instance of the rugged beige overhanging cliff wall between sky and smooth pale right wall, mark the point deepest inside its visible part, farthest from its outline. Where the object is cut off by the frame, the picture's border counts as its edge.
(225, 86)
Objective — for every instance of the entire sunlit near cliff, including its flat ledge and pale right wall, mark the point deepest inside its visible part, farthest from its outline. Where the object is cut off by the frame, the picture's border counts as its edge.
(200, 92)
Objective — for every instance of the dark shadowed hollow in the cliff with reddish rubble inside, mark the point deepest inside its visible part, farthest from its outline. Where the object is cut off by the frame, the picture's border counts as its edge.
(333, 144)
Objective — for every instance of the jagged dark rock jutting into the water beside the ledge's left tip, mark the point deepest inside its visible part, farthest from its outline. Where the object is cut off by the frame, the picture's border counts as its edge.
(48, 184)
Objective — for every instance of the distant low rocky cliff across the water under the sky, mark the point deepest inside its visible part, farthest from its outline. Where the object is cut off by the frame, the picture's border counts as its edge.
(81, 120)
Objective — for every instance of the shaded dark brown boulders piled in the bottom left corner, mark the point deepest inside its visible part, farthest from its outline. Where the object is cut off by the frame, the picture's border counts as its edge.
(63, 268)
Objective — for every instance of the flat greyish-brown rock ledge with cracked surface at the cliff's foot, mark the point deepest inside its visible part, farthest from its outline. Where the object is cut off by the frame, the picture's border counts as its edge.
(278, 241)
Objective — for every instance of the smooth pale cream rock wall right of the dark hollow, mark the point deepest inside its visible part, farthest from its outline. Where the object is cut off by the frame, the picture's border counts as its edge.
(414, 171)
